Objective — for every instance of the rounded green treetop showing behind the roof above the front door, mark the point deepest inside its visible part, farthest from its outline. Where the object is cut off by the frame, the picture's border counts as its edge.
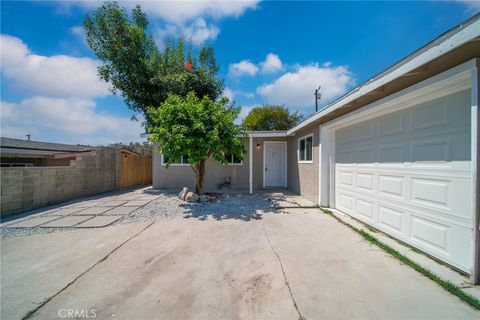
(271, 117)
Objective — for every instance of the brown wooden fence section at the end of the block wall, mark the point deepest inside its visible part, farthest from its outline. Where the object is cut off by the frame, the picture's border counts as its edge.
(135, 169)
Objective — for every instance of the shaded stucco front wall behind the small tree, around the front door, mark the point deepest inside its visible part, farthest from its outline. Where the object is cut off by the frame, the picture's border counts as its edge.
(177, 176)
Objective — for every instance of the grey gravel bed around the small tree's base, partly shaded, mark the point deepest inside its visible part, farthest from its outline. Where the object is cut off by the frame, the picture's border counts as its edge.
(226, 206)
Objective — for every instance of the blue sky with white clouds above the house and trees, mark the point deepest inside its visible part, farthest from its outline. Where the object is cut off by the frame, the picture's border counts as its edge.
(268, 52)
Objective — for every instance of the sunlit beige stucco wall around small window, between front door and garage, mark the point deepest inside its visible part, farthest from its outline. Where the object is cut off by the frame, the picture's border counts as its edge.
(303, 177)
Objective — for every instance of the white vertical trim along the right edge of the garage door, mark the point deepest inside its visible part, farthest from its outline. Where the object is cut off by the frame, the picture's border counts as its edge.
(475, 272)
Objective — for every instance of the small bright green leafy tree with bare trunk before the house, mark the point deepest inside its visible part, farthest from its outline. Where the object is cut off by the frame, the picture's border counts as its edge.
(197, 129)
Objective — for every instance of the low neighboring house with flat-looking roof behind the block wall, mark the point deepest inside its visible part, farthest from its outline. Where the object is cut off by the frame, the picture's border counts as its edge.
(26, 153)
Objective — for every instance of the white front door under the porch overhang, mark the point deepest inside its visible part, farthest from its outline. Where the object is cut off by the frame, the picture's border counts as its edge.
(274, 159)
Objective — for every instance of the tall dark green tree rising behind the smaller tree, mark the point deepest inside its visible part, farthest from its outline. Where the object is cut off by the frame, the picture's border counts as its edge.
(136, 69)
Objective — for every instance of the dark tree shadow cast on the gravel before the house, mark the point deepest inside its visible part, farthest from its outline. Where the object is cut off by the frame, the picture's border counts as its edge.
(244, 207)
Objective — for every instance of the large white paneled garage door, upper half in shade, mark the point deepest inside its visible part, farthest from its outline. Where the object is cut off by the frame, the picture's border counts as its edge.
(409, 175)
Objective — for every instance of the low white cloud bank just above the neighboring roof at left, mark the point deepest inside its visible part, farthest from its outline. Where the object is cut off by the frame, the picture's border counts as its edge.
(70, 120)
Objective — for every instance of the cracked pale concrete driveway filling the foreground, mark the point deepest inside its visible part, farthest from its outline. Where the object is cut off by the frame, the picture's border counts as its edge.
(290, 265)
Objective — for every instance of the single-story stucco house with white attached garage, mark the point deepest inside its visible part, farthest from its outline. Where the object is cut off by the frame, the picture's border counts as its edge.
(399, 152)
